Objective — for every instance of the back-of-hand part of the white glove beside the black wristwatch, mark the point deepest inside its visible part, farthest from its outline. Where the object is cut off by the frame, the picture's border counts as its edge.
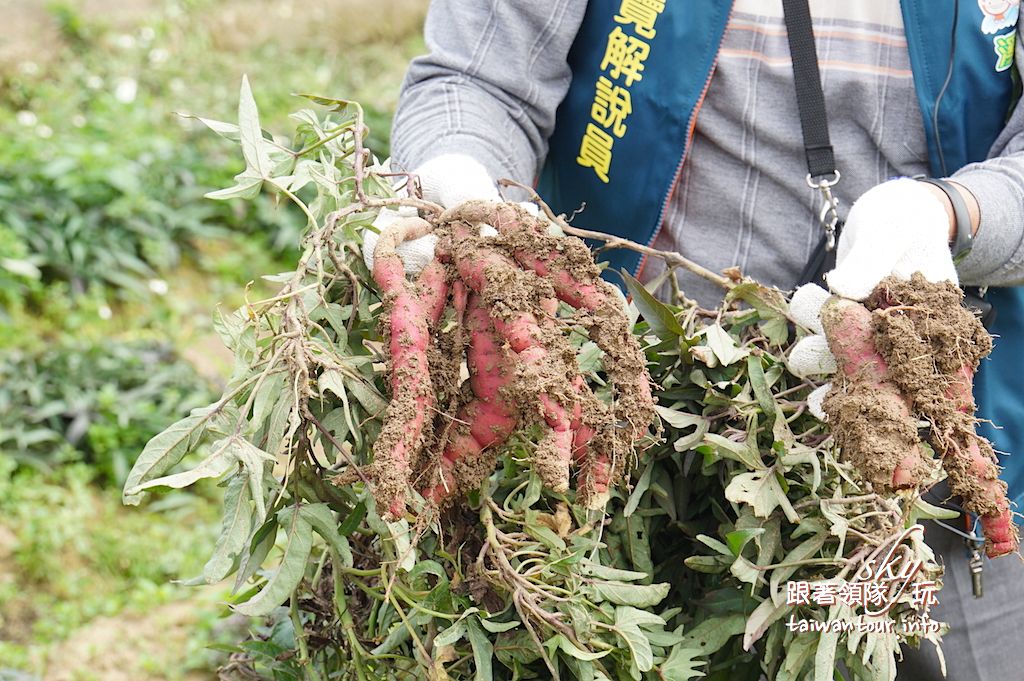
(899, 228)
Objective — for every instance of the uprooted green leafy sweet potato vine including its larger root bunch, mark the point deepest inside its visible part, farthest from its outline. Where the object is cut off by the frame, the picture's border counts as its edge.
(509, 385)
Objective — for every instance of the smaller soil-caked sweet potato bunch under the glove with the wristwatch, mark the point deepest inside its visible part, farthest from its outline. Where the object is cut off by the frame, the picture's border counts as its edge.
(908, 360)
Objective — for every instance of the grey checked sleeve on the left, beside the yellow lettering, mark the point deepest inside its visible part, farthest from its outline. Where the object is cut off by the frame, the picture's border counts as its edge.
(496, 72)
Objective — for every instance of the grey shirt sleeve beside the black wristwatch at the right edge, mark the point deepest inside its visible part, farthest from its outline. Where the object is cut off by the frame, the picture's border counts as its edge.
(997, 258)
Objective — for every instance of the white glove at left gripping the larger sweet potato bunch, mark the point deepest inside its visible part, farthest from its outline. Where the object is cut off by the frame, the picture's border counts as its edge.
(448, 180)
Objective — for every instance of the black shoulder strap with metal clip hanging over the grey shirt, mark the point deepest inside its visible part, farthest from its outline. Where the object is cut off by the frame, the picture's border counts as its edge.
(815, 125)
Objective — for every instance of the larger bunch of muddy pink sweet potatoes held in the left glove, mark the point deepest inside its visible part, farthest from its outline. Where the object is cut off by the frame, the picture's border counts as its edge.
(492, 305)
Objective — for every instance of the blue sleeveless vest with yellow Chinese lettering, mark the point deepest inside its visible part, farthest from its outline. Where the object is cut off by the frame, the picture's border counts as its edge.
(605, 150)
